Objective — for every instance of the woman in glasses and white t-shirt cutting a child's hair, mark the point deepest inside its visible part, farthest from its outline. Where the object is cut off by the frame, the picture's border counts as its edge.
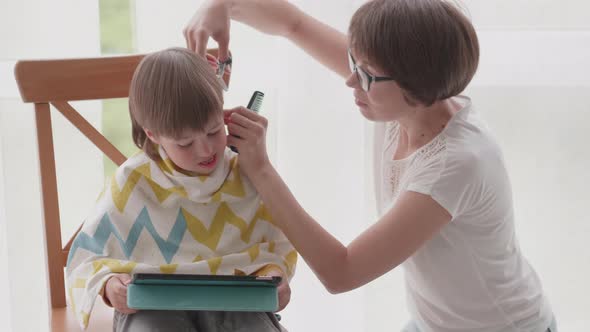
(443, 191)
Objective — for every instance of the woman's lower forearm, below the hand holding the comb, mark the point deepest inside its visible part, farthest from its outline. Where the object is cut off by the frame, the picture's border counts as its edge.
(325, 255)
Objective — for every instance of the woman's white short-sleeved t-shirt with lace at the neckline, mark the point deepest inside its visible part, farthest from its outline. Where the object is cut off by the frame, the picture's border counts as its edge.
(471, 276)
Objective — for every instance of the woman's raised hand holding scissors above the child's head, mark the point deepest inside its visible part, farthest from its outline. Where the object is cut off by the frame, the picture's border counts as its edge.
(211, 20)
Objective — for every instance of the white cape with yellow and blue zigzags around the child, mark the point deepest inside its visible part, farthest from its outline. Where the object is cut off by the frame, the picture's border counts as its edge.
(154, 218)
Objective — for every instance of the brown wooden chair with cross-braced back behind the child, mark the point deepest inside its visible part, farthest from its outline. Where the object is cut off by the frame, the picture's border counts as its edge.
(57, 82)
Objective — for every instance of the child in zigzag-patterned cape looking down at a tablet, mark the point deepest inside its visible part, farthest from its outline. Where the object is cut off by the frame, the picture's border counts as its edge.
(179, 206)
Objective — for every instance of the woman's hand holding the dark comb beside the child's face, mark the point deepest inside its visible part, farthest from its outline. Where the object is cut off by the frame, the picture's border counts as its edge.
(247, 132)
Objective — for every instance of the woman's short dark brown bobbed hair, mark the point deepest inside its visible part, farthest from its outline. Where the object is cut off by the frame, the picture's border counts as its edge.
(428, 46)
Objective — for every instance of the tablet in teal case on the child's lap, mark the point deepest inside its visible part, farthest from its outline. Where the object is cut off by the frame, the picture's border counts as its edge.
(198, 292)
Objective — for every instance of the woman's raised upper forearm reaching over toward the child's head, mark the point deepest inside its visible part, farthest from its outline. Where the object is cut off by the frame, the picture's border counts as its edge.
(278, 17)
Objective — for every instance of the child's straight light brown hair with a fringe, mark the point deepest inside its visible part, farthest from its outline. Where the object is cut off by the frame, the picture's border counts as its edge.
(171, 91)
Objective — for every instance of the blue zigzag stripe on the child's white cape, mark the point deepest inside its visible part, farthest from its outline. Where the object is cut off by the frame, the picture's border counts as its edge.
(105, 228)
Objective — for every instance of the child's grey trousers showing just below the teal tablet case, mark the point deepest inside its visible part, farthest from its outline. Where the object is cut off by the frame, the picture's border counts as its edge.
(196, 321)
